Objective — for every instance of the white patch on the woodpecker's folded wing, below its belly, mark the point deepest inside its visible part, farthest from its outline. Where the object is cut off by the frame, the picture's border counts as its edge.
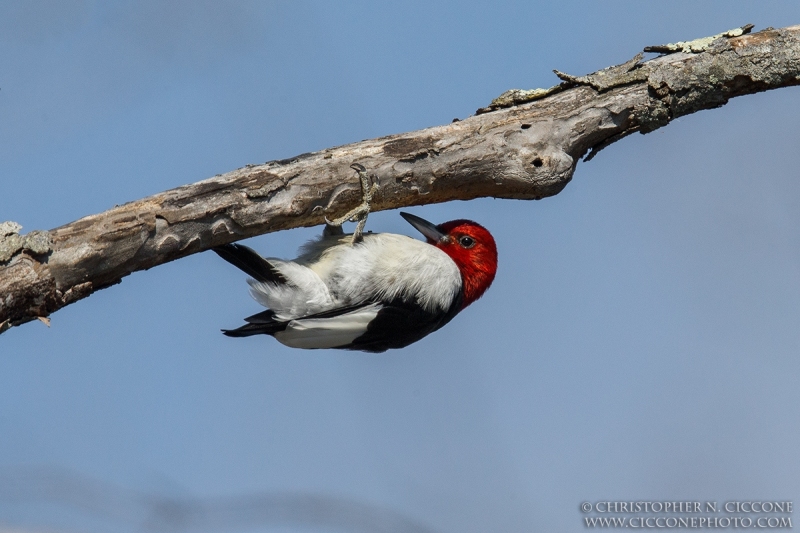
(331, 332)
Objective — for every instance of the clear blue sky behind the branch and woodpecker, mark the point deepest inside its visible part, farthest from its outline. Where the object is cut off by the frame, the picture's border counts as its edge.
(640, 340)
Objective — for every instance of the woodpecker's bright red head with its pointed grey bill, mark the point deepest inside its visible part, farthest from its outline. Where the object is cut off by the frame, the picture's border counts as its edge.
(469, 245)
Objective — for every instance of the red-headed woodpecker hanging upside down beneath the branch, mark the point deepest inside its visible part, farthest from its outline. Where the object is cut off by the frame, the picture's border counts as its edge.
(379, 292)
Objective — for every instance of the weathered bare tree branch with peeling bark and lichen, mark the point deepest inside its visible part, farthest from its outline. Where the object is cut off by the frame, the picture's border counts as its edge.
(525, 146)
